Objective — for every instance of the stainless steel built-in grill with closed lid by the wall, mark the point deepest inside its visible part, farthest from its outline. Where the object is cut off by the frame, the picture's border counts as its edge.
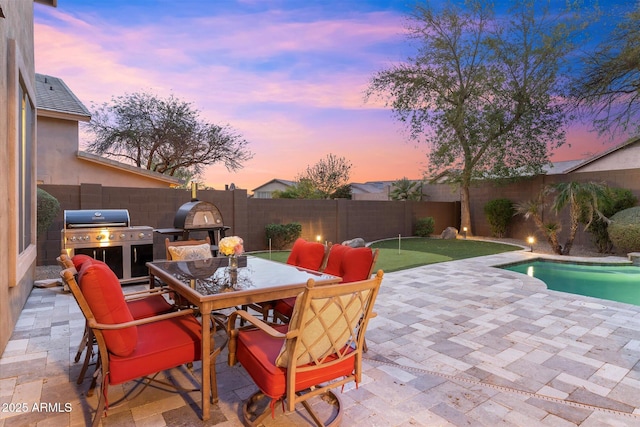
(107, 235)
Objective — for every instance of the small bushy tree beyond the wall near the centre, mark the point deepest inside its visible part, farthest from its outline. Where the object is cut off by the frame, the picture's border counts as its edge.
(328, 175)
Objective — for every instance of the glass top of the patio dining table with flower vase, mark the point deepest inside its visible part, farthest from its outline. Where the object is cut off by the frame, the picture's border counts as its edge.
(213, 276)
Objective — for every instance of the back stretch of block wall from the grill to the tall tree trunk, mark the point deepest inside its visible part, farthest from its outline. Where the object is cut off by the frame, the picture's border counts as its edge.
(333, 220)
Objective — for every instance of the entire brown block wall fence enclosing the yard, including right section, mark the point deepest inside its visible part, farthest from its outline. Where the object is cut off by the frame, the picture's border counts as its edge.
(333, 220)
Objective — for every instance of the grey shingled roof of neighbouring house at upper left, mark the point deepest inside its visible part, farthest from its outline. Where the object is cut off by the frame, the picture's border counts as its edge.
(55, 99)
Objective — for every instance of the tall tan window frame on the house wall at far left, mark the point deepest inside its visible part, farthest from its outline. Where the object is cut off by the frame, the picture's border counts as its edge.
(19, 79)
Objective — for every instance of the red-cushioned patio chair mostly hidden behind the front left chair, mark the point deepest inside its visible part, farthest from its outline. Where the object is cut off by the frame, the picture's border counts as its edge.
(142, 304)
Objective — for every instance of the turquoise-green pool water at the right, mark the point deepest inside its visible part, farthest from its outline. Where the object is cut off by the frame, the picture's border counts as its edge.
(612, 282)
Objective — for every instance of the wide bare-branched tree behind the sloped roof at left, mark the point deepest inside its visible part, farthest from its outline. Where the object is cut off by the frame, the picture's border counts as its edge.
(163, 135)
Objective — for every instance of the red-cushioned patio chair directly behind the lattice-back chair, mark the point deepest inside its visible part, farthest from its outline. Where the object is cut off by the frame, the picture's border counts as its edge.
(351, 264)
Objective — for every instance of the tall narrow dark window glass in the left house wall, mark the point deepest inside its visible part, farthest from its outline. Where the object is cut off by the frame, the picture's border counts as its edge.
(26, 116)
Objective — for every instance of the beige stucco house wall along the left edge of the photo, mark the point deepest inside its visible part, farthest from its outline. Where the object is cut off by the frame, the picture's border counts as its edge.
(16, 69)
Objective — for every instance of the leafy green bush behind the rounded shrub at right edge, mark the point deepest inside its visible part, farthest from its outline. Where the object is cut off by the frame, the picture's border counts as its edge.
(616, 199)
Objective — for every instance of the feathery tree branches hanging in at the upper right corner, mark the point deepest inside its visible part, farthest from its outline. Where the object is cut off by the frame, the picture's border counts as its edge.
(608, 89)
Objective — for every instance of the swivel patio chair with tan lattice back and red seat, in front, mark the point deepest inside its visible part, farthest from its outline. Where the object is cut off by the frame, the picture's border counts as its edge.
(320, 349)
